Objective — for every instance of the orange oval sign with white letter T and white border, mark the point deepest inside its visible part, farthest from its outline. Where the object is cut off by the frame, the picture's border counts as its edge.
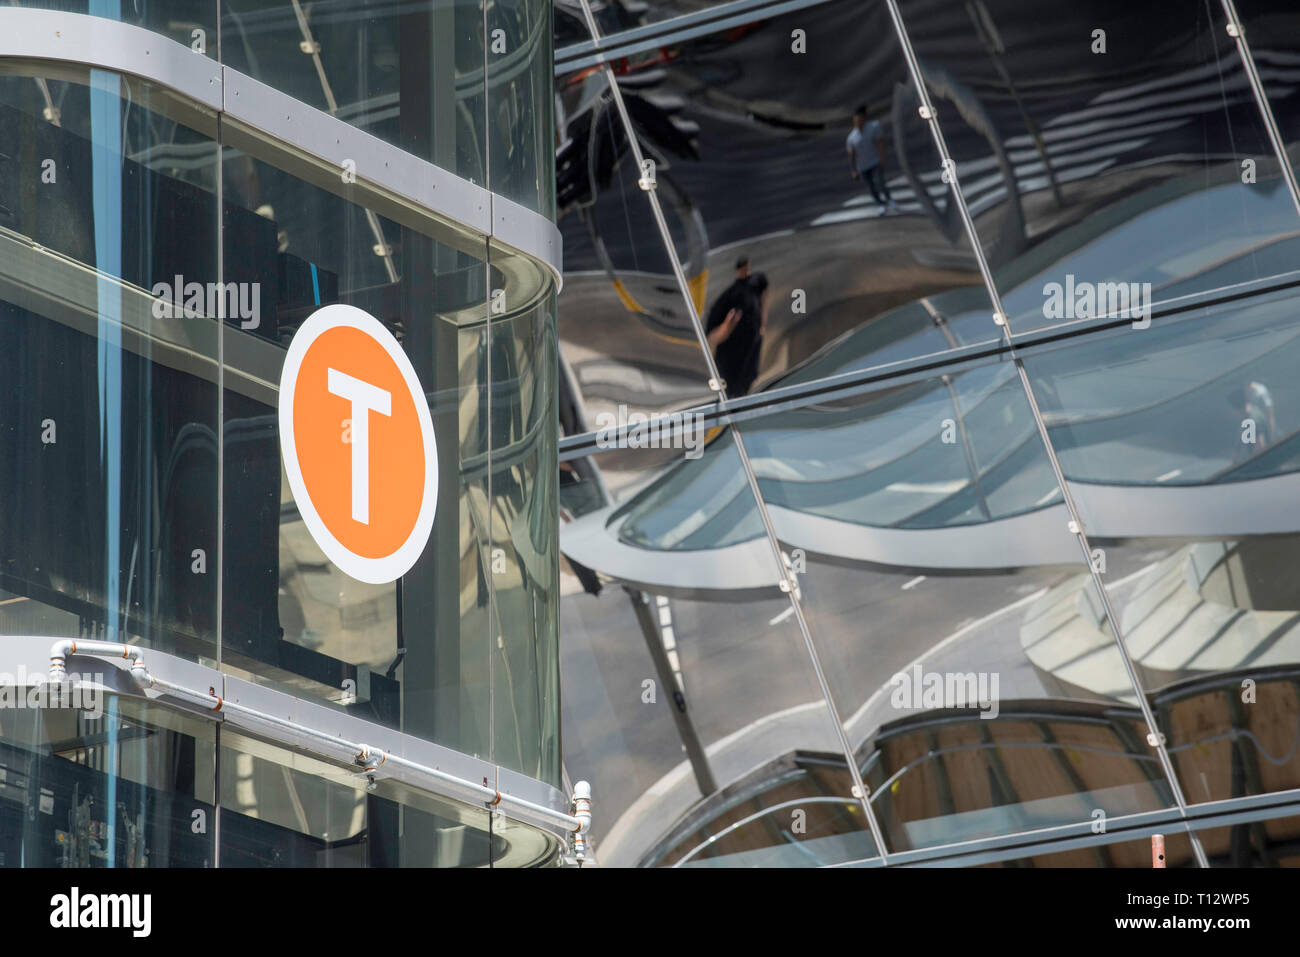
(358, 444)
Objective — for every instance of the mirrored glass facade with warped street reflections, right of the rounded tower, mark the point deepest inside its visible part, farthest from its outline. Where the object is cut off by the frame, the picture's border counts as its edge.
(993, 566)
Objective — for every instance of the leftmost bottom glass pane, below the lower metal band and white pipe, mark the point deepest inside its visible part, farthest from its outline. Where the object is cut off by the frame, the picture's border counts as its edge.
(119, 785)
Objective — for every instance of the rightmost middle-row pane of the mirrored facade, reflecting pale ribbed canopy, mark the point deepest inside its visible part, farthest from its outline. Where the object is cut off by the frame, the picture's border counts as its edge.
(1184, 465)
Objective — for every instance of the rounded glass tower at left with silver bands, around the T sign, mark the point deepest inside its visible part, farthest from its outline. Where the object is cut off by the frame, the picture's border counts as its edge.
(161, 257)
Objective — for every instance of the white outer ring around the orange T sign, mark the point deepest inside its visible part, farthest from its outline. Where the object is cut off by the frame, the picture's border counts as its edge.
(372, 571)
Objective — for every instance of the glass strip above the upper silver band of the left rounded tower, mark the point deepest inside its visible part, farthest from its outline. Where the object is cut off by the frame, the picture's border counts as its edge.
(460, 84)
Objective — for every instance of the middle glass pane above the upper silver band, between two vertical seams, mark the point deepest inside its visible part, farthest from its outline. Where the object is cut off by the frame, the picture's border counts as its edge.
(410, 73)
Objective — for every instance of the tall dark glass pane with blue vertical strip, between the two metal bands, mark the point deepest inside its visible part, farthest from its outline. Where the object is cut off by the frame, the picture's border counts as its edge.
(109, 443)
